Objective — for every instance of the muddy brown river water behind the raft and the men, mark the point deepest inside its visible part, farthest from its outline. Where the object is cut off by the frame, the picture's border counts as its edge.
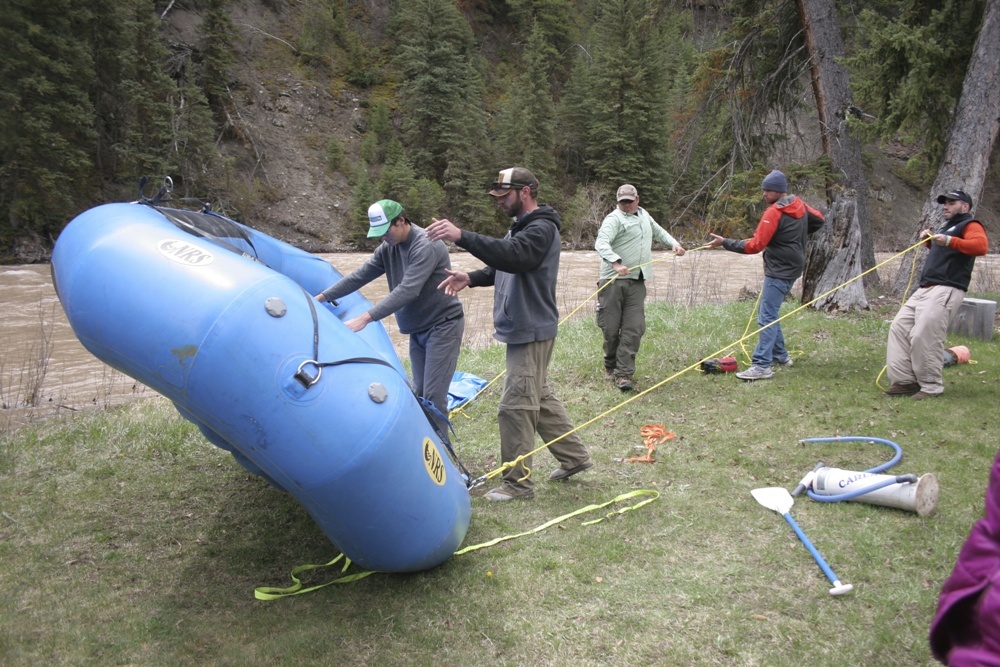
(44, 370)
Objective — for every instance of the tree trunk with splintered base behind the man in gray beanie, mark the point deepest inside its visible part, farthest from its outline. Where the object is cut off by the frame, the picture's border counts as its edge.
(828, 263)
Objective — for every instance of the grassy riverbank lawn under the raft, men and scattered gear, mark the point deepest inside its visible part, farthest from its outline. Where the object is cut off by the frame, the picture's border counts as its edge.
(126, 539)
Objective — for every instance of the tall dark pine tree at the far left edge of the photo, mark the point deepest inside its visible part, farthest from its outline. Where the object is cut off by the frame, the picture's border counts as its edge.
(46, 117)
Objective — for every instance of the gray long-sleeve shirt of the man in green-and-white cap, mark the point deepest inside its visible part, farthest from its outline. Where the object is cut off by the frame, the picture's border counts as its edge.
(413, 269)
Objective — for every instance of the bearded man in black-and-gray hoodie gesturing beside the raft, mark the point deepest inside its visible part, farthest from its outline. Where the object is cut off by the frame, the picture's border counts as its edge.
(522, 267)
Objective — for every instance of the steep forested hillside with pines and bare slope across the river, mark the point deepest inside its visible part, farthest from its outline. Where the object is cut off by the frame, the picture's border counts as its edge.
(293, 115)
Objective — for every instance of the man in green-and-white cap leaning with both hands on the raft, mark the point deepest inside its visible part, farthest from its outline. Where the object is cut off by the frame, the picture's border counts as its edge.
(413, 266)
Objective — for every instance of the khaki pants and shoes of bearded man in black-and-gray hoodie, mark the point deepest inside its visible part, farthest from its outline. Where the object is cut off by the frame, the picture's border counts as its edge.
(528, 406)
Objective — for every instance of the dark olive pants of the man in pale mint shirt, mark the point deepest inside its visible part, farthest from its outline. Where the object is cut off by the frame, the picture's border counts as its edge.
(621, 314)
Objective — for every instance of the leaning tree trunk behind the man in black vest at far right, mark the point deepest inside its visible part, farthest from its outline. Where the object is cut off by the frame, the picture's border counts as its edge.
(972, 135)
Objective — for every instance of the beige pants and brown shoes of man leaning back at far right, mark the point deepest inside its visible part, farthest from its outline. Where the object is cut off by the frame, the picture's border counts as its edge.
(916, 338)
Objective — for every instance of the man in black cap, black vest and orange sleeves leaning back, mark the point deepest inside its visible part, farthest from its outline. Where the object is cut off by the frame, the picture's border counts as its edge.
(914, 353)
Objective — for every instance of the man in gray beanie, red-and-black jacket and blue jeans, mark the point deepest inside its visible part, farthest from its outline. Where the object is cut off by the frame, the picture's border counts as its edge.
(781, 234)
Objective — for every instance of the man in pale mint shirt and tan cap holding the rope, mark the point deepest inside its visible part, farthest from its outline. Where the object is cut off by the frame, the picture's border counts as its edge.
(624, 243)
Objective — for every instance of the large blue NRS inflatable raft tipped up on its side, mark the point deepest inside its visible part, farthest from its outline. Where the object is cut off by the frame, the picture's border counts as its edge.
(221, 320)
